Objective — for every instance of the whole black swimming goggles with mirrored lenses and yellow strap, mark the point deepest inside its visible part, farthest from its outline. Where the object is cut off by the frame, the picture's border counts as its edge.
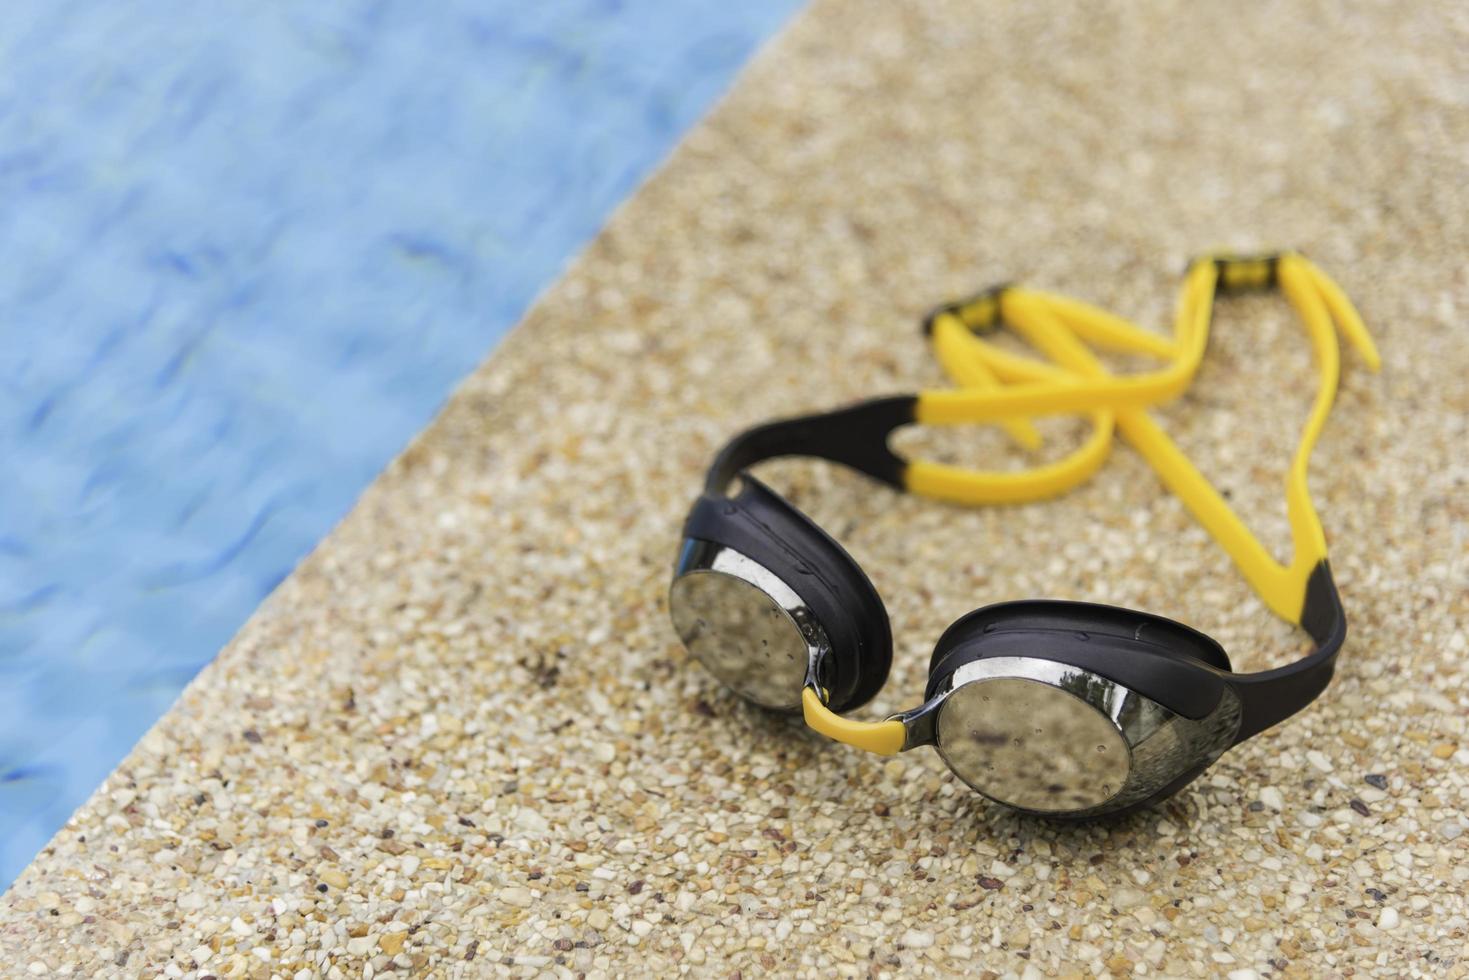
(1051, 707)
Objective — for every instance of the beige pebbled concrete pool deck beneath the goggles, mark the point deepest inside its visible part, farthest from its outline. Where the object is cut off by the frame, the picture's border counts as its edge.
(462, 740)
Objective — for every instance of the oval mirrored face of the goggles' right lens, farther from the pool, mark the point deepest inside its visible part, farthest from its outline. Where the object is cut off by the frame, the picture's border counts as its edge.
(1031, 746)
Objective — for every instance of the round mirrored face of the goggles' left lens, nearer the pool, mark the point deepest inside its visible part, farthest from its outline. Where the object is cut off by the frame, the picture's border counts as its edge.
(743, 635)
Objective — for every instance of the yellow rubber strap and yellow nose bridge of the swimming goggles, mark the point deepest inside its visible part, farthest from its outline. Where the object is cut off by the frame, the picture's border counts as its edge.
(995, 386)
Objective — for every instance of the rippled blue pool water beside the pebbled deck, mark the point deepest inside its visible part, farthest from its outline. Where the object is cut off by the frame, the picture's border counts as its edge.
(246, 252)
